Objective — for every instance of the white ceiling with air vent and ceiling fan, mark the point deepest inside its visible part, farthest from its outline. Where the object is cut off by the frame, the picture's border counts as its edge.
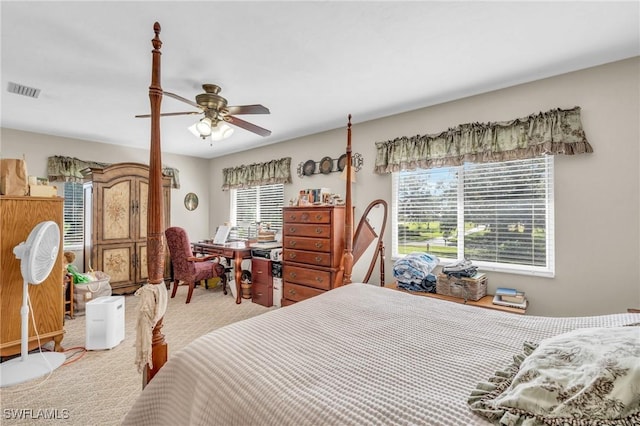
(310, 63)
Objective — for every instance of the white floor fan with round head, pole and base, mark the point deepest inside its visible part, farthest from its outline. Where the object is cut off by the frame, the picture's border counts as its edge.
(37, 257)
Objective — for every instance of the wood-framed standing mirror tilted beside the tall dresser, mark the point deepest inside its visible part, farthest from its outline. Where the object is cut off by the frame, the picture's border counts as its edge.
(368, 246)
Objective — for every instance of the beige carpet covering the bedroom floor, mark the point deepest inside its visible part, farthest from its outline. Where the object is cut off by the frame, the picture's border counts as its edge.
(99, 387)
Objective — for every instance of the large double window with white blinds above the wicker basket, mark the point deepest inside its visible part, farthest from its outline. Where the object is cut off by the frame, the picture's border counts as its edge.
(498, 215)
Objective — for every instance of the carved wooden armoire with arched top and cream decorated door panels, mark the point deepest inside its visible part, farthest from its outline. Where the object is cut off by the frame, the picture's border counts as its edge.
(116, 200)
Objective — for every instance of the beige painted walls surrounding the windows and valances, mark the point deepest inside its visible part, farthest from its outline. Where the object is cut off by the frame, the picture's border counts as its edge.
(597, 196)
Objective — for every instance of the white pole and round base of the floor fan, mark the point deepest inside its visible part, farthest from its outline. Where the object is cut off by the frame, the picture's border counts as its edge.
(28, 366)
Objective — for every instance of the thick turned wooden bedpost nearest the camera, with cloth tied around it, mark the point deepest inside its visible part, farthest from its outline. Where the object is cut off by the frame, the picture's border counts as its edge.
(155, 209)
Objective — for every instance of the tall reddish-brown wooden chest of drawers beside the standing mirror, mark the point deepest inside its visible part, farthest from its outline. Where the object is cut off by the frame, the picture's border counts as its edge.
(313, 245)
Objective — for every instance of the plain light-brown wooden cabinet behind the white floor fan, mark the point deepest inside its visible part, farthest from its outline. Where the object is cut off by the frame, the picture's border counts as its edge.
(18, 217)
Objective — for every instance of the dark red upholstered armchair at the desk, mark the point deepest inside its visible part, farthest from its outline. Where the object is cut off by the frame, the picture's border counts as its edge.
(189, 269)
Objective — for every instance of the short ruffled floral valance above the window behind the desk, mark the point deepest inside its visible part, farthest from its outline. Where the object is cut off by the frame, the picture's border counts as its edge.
(274, 171)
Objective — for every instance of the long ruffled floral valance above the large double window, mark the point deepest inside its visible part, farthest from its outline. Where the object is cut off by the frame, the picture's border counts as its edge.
(553, 132)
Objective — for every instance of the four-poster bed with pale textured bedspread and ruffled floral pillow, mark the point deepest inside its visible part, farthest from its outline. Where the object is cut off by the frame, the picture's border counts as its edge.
(363, 354)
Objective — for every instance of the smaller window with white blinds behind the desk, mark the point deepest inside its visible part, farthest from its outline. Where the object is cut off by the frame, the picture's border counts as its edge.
(256, 204)
